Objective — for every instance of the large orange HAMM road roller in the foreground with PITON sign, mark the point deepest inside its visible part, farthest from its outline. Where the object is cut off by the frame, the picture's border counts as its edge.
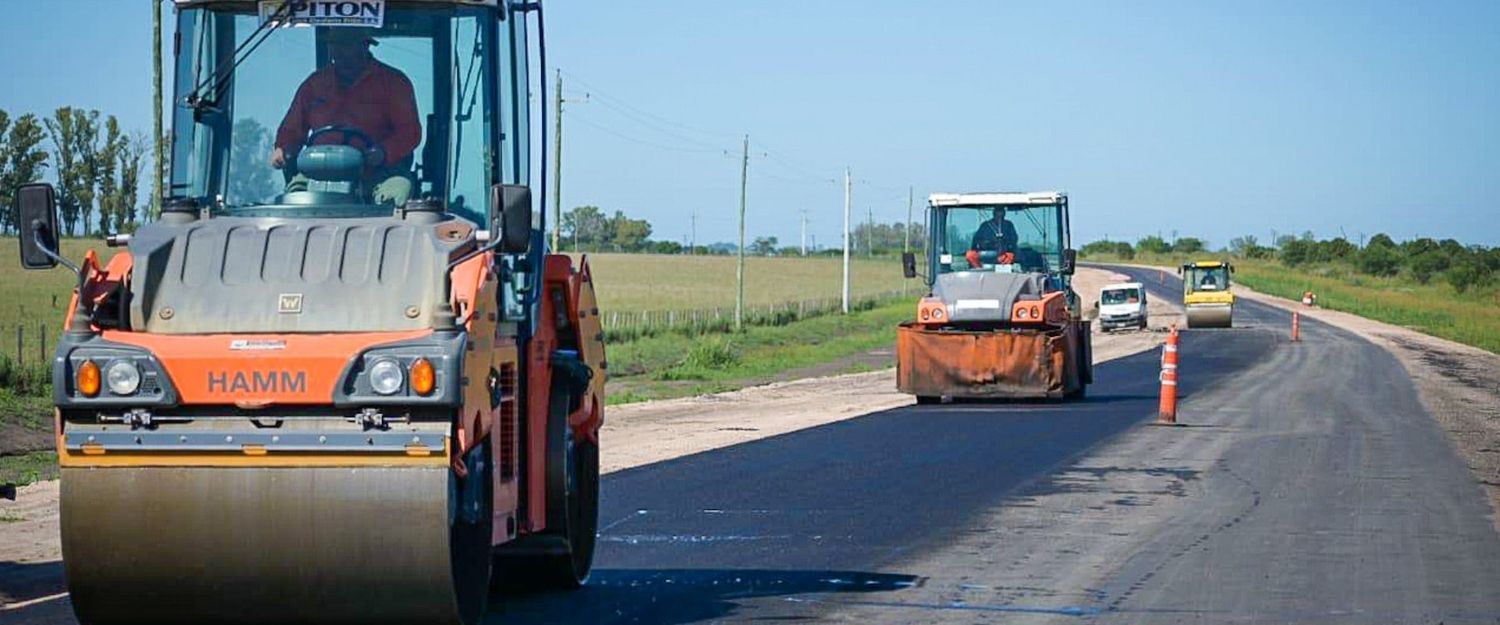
(340, 380)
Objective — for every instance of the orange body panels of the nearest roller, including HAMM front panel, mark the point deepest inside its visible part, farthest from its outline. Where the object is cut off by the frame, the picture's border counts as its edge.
(304, 371)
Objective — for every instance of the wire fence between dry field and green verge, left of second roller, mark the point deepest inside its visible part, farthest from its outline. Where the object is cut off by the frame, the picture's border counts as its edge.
(640, 324)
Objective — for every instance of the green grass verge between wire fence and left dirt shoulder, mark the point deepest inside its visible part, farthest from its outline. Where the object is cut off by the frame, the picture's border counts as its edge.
(676, 366)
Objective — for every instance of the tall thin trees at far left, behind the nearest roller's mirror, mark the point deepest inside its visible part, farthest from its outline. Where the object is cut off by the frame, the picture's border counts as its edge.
(94, 164)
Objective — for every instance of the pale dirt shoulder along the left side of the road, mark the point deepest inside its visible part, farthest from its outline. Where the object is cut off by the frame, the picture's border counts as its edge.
(635, 434)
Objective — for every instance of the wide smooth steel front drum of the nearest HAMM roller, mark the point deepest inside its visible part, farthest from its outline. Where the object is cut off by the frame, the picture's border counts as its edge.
(268, 545)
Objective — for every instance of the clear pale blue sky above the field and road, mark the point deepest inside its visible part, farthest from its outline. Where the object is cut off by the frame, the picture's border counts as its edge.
(1211, 119)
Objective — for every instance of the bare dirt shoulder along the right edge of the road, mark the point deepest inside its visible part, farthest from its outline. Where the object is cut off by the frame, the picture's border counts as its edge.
(1459, 384)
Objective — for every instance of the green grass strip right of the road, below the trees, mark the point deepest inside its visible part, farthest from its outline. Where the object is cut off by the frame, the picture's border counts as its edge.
(1471, 318)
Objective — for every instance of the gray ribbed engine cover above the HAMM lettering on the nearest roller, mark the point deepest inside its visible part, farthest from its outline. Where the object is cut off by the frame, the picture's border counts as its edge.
(250, 275)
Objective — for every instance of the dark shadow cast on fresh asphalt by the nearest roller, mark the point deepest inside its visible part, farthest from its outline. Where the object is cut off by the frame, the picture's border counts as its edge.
(680, 596)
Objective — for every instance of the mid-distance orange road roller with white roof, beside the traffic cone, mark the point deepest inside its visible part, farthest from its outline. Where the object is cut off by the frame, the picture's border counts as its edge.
(1001, 318)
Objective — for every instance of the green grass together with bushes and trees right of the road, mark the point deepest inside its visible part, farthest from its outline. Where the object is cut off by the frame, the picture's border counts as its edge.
(1441, 289)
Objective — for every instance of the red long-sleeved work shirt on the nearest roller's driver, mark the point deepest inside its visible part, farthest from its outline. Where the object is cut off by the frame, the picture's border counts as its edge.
(380, 103)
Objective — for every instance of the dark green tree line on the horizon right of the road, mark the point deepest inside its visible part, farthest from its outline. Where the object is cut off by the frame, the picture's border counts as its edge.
(1423, 260)
